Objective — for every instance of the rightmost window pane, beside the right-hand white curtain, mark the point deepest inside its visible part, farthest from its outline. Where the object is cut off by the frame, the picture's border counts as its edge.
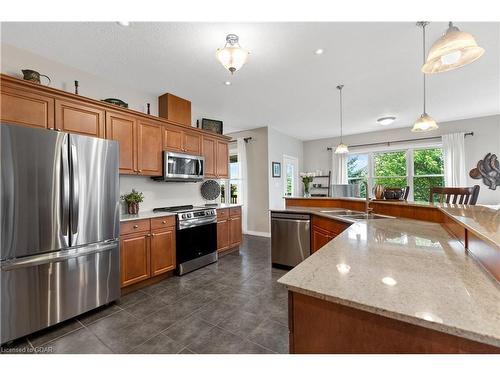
(428, 171)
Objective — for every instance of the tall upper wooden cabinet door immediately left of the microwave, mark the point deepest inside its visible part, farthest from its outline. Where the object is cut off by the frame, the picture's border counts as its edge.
(149, 148)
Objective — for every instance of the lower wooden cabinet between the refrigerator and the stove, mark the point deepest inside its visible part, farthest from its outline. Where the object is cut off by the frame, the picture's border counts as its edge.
(147, 253)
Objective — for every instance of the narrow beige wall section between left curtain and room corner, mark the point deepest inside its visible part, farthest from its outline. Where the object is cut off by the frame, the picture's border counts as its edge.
(257, 174)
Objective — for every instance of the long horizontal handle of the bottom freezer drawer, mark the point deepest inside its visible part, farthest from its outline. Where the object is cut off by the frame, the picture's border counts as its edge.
(58, 256)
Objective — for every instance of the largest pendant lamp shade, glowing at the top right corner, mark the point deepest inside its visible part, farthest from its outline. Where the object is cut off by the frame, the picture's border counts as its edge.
(453, 50)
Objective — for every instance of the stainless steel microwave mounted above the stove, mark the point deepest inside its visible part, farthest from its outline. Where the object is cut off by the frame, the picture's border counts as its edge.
(182, 167)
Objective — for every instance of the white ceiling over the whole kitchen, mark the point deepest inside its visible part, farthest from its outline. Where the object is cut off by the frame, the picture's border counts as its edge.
(284, 84)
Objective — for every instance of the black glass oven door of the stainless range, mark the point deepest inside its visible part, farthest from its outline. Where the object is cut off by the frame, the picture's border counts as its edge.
(196, 242)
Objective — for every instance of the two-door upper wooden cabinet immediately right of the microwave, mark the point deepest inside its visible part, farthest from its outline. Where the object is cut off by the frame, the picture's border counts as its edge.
(216, 153)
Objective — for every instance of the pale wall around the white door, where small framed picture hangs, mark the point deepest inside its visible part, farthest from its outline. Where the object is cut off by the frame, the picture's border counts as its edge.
(280, 144)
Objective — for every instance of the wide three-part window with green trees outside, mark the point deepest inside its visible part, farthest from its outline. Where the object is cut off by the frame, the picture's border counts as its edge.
(419, 168)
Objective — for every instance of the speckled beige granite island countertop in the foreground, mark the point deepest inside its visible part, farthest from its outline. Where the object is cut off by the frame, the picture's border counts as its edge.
(437, 285)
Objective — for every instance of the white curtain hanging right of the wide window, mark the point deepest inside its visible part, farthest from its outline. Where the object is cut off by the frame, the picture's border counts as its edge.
(454, 160)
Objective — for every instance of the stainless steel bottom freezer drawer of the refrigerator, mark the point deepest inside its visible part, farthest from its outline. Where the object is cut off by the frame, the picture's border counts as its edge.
(43, 290)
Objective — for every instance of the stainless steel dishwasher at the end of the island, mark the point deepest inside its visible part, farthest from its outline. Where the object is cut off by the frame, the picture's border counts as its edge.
(290, 238)
